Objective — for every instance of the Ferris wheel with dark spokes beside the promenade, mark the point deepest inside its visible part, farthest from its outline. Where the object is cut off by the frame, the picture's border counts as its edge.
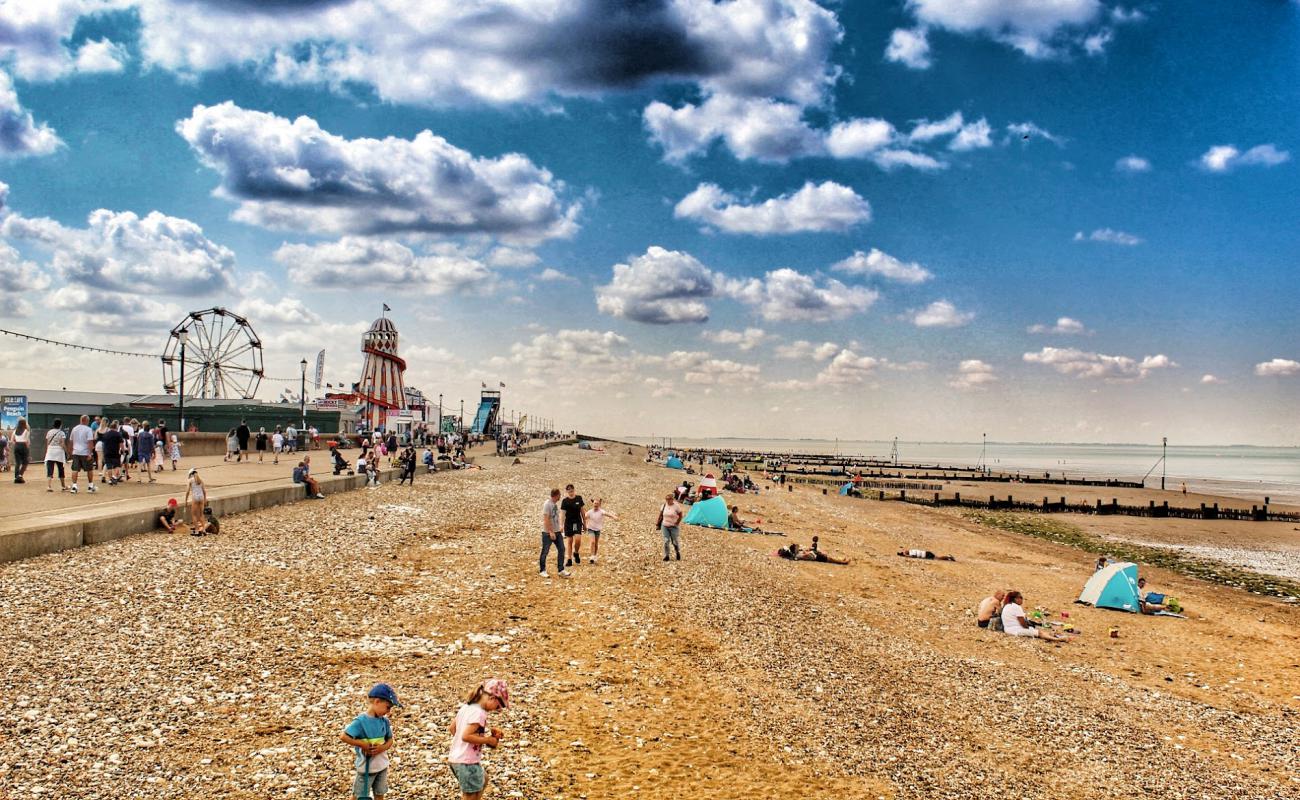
(222, 357)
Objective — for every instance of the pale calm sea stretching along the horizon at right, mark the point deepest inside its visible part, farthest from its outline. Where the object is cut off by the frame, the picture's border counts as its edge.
(1243, 472)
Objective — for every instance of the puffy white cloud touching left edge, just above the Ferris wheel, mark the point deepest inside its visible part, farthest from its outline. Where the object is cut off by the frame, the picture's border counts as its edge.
(119, 250)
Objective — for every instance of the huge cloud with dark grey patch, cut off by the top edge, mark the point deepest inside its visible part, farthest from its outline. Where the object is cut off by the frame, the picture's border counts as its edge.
(506, 51)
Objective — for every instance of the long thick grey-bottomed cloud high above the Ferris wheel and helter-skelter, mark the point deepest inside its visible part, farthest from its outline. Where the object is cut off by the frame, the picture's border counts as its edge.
(293, 175)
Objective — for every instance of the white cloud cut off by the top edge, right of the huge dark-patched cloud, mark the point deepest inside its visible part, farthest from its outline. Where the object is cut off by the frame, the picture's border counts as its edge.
(1038, 29)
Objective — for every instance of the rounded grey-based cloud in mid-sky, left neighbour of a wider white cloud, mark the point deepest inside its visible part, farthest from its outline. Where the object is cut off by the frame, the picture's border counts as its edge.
(661, 287)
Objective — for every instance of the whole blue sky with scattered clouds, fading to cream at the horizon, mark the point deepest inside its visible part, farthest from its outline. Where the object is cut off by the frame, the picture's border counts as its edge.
(1074, 222)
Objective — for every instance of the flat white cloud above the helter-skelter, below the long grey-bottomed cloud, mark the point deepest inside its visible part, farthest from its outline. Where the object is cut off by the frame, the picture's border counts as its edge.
(356, 262)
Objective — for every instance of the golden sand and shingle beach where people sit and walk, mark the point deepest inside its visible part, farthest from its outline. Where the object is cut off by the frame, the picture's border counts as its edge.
(164, 667)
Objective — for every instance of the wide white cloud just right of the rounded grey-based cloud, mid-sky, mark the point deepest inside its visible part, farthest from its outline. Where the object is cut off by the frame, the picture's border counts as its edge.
(785, 296)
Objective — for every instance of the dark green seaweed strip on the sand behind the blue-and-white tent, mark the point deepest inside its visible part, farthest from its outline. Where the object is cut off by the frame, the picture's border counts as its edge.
(1175, 561)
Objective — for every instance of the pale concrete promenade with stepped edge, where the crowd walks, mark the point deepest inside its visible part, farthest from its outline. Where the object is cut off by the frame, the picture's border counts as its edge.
(34, 522)
